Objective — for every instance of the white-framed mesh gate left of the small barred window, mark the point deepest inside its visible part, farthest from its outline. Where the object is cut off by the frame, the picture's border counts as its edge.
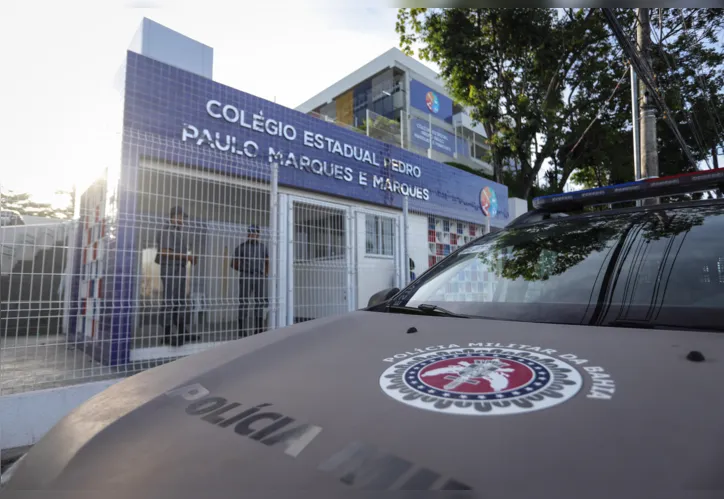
(319, 260)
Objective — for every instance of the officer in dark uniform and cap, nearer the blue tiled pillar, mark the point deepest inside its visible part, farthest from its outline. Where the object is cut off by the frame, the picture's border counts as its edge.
(173, 256)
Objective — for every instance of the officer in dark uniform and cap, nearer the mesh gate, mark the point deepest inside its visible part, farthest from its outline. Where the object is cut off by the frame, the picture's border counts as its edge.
(251, 260)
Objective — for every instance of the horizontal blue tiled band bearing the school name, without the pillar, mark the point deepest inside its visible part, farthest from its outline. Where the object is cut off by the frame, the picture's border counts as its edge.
(161, 99)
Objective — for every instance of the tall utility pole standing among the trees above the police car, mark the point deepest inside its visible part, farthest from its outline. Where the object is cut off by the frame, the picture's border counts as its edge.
(649, 154)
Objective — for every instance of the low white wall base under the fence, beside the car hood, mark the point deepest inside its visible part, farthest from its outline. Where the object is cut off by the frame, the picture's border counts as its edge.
(26, 417)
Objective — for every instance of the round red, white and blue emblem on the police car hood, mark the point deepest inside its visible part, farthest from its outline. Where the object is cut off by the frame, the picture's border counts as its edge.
(481, 381)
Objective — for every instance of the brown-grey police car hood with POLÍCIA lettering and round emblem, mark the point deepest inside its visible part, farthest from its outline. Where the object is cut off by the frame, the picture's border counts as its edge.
(372, 401)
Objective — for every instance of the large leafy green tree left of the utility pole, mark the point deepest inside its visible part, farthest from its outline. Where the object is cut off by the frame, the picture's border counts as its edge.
(533, 77)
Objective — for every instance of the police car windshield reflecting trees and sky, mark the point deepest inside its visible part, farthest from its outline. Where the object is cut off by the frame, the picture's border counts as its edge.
(655, 268)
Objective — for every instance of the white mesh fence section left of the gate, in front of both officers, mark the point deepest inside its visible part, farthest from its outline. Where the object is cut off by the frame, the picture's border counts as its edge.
(172, 259)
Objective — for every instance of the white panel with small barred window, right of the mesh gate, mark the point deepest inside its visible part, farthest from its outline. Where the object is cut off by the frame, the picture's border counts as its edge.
(378, 244)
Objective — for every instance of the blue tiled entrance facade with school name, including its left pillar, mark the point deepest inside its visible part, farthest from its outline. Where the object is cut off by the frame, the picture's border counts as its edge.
(161, 100)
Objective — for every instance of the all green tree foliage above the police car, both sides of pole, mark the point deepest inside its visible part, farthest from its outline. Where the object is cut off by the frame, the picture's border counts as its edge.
(550, 86)
